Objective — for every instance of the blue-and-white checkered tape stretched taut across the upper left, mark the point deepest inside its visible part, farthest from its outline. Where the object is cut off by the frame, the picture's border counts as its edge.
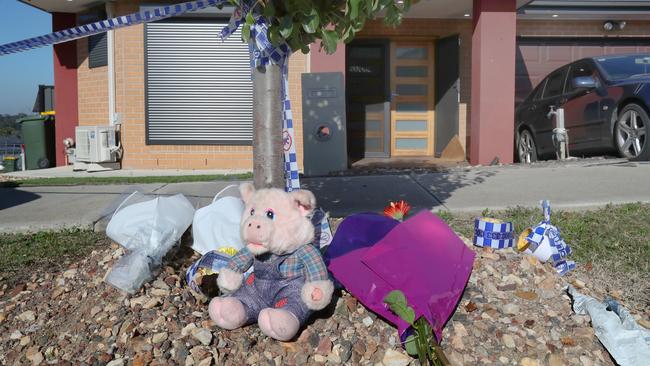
(108, 24)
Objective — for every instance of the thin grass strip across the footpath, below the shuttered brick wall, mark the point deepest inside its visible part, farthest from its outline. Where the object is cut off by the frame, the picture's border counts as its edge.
(72, 181)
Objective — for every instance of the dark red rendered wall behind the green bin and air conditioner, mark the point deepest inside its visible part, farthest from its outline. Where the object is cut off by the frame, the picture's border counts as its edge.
(65, 85)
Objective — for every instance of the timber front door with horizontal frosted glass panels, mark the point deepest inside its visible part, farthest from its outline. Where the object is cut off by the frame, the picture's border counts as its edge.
(411, 98)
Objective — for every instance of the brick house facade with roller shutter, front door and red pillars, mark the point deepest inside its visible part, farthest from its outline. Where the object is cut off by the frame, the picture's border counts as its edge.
(443, 84)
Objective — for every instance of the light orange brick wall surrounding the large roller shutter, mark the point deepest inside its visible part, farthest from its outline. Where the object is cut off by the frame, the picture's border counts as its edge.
(129, 101)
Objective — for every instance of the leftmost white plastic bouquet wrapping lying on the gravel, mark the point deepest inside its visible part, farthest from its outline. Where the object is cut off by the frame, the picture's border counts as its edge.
(148, 229)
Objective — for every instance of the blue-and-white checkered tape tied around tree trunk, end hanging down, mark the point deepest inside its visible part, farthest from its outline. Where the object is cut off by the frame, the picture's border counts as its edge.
(263, 53)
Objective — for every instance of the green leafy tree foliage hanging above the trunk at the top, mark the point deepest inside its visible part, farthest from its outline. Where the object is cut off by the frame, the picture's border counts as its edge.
(303, 22)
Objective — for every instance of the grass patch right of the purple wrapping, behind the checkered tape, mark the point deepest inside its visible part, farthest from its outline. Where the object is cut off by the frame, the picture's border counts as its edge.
(611, 246)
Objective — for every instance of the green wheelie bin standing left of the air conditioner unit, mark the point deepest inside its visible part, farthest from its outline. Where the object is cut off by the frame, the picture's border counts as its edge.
(38, 137)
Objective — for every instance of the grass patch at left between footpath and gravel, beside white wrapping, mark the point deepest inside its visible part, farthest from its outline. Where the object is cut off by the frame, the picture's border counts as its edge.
(19, 253)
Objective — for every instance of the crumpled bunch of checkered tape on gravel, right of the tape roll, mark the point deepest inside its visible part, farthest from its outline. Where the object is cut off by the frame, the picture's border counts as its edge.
(545, 242)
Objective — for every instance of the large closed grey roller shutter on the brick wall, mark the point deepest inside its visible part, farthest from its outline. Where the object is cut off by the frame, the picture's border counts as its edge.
(198, 88)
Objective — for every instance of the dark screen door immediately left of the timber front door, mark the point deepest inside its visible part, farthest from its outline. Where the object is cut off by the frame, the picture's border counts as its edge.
(368, 106)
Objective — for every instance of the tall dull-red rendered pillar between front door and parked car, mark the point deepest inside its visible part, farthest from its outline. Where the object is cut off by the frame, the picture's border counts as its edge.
(493, 81)
